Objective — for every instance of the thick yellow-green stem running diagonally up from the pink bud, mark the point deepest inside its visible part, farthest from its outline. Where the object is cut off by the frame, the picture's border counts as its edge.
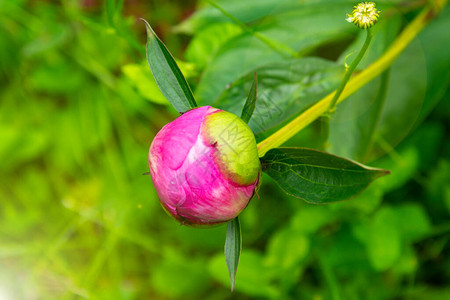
(354, 84)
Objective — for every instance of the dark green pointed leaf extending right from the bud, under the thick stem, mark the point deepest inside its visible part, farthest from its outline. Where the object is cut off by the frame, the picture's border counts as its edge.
(317, 177)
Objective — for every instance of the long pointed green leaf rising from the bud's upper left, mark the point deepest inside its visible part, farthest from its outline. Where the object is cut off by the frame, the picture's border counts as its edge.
(167, 74)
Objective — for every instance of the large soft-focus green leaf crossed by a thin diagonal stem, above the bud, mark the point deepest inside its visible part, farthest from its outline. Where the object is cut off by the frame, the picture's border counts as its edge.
(301, 29)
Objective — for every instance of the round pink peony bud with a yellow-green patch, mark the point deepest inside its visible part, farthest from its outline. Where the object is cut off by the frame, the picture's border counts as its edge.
(205, 166)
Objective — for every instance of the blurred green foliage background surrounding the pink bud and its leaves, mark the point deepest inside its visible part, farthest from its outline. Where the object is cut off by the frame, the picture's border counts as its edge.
(79, 109)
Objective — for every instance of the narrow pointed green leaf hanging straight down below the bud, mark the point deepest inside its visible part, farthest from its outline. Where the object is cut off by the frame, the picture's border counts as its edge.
(233, 247)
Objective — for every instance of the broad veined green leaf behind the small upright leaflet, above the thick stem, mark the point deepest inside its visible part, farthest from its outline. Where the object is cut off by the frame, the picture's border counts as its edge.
(284, 90)
